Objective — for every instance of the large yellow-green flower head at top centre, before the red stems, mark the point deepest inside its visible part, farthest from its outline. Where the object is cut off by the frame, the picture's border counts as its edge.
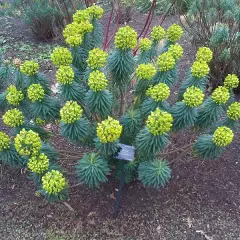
(126, 38)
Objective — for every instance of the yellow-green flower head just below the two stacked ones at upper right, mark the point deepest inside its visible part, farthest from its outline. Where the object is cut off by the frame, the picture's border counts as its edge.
(193, 97)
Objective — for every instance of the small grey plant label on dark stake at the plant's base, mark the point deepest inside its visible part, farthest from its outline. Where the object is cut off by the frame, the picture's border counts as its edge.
(126, 153)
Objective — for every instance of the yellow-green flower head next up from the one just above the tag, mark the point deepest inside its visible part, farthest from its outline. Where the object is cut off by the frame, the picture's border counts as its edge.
(97, 81)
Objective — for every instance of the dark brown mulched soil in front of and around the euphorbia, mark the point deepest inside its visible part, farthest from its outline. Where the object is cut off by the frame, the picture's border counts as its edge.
(200, 202)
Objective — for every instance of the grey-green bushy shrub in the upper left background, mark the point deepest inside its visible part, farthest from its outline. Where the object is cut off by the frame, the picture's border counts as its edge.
(45, 18)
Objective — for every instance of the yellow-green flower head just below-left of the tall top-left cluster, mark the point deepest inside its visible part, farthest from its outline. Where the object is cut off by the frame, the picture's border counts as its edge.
(61, 57)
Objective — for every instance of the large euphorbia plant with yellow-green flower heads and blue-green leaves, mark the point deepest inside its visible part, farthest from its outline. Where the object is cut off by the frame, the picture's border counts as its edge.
(92, 106)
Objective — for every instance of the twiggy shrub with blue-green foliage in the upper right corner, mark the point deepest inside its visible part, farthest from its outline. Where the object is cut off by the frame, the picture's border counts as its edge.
(216, 24)
